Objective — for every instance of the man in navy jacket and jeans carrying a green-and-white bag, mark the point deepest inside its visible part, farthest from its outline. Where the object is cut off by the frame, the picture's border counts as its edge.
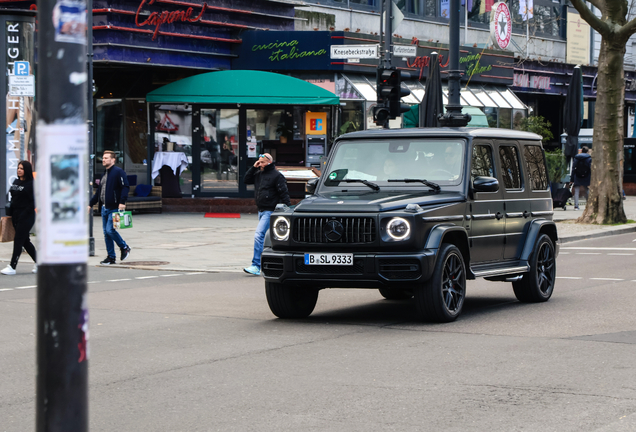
(112, 194)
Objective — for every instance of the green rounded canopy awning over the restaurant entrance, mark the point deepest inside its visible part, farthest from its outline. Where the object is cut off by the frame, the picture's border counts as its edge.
(244, 87)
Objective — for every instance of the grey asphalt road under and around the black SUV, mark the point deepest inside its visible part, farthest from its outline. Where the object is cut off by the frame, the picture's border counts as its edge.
(202, 352)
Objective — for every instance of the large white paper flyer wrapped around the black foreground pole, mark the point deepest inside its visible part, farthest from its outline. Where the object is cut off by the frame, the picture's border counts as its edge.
(62, 176)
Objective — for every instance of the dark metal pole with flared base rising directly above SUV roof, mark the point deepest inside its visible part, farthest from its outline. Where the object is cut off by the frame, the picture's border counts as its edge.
(453, 116)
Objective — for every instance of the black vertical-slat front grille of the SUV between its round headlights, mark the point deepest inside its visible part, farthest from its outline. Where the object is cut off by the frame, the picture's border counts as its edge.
(314, 229)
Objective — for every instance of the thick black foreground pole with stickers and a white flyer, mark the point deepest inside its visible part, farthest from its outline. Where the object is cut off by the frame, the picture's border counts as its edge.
(62, 149)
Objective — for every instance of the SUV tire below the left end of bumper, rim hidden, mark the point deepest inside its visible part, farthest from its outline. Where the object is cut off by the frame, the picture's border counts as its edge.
(289, 301)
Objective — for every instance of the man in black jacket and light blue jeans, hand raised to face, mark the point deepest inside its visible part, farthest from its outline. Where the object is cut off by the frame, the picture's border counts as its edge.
(270, 188)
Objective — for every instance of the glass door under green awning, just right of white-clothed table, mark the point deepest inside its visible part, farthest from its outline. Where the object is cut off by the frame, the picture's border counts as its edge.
(218, 154)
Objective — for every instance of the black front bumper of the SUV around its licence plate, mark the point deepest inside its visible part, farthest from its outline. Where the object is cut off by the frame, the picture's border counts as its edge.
(369, 270)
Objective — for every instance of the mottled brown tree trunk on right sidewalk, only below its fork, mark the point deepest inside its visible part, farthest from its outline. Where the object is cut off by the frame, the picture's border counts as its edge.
(605, 202)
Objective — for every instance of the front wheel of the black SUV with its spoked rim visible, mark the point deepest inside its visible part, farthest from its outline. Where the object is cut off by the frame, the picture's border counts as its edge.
(441, 298)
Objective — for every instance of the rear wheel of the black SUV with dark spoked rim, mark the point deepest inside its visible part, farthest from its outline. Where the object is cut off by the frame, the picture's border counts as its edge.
(537, 285)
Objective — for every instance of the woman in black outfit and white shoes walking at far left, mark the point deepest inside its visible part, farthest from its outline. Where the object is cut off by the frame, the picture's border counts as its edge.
(22, 215)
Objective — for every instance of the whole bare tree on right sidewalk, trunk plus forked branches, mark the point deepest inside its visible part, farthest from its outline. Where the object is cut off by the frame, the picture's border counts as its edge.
(605, 204)
